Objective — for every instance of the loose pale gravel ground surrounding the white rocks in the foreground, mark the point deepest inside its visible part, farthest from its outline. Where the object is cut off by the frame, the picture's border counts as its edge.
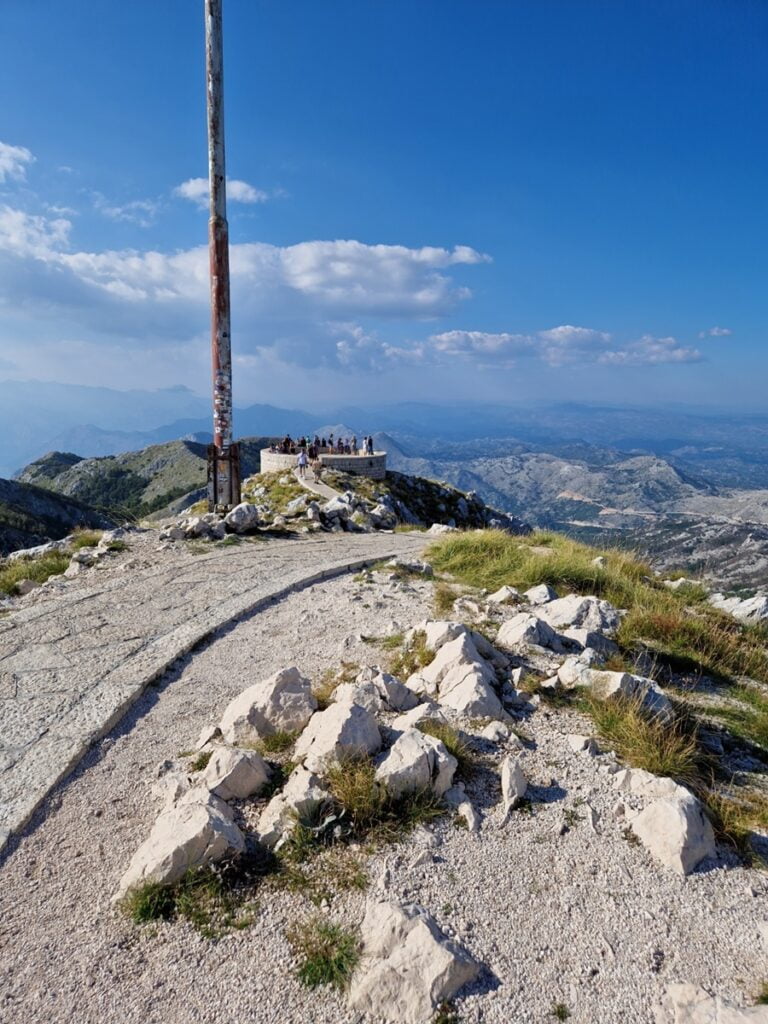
(560, 912)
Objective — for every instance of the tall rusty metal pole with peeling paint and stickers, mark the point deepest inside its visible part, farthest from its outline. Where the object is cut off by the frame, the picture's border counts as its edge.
(224, 463)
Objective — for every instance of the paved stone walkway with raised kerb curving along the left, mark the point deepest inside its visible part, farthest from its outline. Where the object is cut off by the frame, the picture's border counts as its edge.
(76, 654)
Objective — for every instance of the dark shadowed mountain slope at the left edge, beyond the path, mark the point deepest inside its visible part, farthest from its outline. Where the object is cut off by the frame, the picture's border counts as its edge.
(32, 516)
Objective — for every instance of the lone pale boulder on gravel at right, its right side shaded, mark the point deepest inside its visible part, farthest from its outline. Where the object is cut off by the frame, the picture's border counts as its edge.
(676, 832)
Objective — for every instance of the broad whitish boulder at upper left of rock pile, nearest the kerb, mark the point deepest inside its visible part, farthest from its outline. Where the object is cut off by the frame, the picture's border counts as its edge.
(284, 703)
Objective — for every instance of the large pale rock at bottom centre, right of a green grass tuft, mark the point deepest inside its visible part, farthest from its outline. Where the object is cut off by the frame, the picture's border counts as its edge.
(409, 966)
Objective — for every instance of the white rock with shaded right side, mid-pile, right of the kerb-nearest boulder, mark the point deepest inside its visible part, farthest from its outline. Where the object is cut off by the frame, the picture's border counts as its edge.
(344, 731)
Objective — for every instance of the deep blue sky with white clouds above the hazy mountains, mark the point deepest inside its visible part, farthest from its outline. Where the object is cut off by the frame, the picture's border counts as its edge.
(440, 199)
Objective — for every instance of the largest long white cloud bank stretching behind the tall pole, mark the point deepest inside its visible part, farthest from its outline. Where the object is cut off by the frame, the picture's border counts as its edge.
(304, 301)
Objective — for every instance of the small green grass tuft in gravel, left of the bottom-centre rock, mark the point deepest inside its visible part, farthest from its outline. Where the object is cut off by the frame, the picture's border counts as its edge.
(327, 953)
